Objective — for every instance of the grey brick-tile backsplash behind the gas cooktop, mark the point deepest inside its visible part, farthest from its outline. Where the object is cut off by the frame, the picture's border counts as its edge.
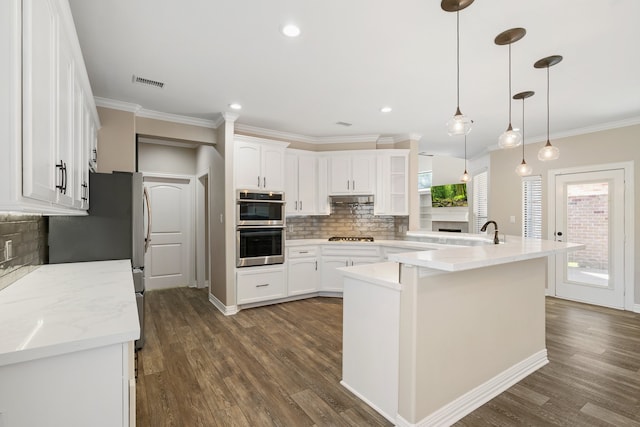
(347, 221)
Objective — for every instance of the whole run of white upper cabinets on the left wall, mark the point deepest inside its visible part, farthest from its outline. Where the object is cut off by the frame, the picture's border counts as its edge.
(49, 119)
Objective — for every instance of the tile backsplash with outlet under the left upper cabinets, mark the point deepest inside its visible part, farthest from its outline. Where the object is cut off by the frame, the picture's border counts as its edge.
(28, 236)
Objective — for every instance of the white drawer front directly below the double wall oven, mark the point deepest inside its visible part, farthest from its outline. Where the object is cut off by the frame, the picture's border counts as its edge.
(256, 284)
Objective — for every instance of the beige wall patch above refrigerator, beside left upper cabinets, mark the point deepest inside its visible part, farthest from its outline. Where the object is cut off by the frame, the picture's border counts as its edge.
(116, 140)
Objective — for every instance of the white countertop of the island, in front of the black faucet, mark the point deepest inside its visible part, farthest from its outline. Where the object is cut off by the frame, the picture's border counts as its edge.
(469, 257)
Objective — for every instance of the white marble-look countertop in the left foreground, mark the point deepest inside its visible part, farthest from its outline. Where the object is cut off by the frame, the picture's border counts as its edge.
(63, 308)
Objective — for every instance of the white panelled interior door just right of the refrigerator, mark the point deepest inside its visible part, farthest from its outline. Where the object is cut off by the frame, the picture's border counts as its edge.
(169, 261)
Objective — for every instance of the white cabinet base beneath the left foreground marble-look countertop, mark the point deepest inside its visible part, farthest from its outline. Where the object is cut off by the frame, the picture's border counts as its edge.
(94, 387)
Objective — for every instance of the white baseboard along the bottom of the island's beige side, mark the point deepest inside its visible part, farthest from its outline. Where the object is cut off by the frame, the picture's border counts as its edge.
(468, 402)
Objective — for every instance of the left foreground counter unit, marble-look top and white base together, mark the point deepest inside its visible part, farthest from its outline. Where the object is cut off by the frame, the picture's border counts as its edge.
(66, 346)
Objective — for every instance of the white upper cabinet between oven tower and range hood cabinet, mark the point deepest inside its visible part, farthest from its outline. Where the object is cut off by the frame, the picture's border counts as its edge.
(301, 182)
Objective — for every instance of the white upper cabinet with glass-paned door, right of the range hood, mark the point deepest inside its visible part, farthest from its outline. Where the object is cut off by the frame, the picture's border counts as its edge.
(392, 184)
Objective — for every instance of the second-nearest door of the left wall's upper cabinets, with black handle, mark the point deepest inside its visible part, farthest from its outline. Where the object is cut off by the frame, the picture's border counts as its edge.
(65, 109)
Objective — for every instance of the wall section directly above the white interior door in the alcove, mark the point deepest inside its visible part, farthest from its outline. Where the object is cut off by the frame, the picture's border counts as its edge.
(166, 159)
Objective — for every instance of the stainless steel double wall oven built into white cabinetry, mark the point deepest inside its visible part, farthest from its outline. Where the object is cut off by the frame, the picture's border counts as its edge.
(260, 228)
